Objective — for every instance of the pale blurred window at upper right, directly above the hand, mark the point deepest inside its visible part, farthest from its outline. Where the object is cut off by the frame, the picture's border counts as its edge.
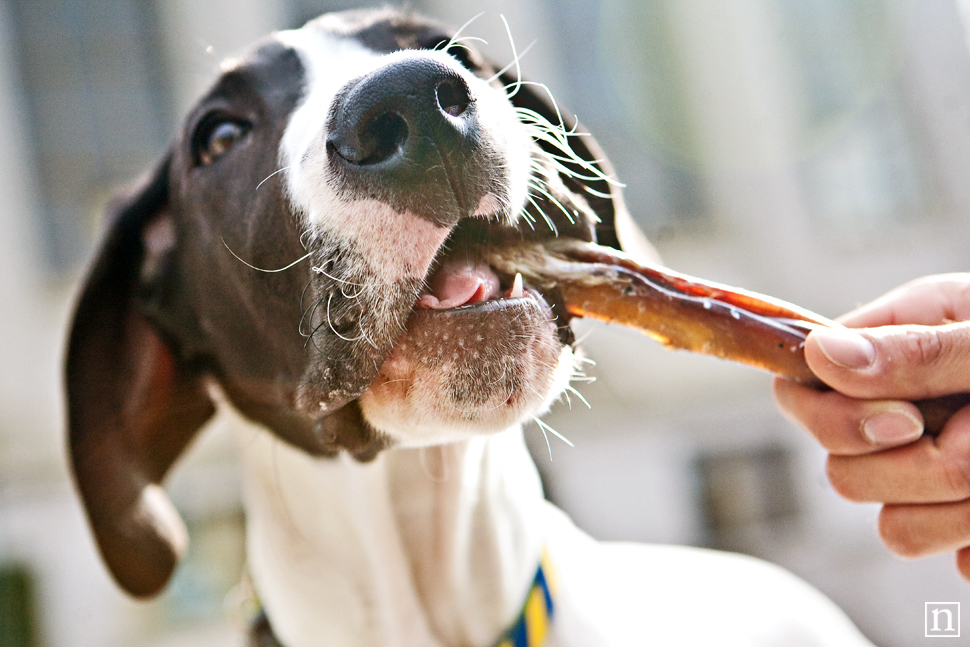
(859, 169)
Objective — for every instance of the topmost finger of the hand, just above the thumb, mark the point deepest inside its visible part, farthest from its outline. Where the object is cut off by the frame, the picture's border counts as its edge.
(930, 301)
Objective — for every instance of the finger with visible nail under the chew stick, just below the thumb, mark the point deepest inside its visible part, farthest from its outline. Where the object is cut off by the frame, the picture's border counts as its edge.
(847, 426)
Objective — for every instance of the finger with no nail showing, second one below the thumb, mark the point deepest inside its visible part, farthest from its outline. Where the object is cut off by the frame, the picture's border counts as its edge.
(930, 470)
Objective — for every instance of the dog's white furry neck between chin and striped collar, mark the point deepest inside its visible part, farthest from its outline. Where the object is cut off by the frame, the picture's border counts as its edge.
(427, 546)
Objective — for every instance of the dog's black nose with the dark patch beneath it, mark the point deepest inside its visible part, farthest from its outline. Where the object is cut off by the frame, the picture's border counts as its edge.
(409, 134)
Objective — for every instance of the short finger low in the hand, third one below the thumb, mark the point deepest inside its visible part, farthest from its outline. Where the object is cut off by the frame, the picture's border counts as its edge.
(921, 530)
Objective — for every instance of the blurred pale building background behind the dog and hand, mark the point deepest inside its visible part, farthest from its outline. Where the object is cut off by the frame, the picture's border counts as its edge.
(815, 150)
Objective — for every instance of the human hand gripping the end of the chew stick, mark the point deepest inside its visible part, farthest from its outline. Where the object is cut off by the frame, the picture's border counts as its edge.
(915, 344)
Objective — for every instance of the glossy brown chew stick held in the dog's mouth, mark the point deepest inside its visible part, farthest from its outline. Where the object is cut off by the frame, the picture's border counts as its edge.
(683, 312)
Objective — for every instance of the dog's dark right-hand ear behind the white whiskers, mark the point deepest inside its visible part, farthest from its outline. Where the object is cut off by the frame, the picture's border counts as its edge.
(616, 227)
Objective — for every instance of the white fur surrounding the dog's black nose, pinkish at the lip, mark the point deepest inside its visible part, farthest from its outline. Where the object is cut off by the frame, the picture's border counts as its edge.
(395, 245)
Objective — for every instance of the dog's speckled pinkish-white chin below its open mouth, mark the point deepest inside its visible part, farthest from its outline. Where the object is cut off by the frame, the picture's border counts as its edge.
(471, 370)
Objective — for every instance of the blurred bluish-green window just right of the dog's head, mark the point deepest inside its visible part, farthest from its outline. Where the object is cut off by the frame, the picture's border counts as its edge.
(620, 74)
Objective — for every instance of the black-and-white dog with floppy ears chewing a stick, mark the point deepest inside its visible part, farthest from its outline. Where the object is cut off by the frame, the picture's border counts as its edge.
(310, 259)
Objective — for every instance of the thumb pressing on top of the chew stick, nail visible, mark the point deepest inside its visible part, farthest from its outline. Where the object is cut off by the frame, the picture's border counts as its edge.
(895, 362)
